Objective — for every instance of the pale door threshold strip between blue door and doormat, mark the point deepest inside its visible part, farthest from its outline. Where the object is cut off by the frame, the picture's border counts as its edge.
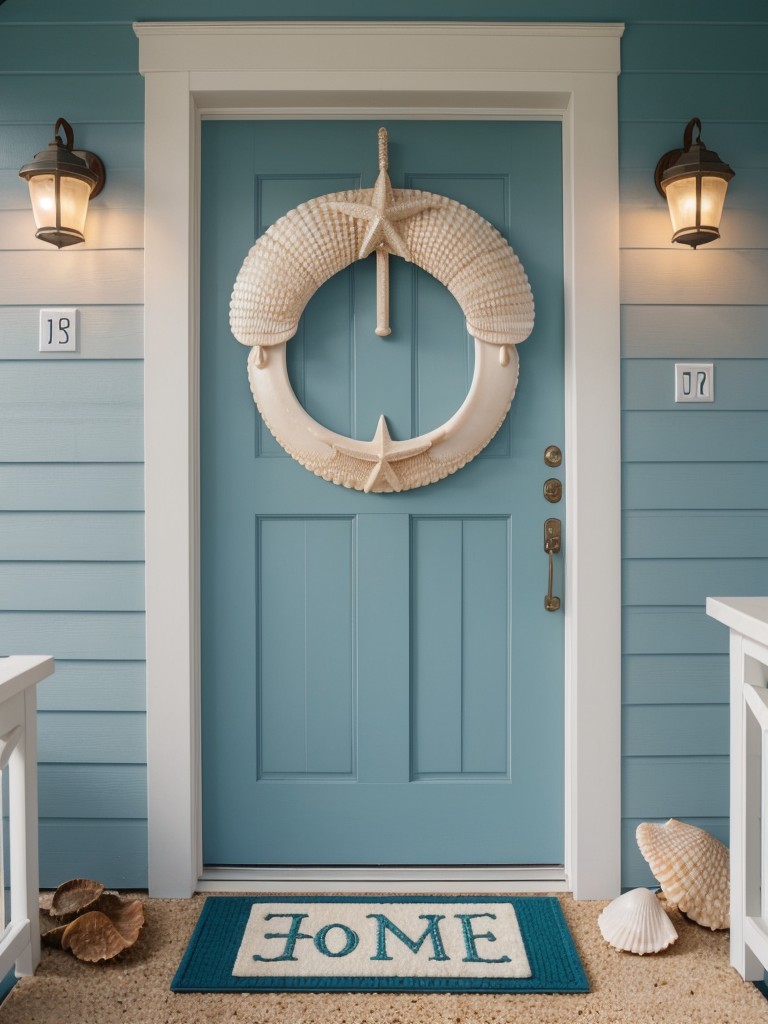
(490, 879)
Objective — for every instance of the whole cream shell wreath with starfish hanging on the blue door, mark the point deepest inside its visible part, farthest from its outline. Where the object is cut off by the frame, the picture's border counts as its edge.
(309, 246)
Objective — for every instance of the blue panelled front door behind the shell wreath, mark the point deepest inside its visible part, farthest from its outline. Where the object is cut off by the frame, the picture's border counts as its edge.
(381, 681)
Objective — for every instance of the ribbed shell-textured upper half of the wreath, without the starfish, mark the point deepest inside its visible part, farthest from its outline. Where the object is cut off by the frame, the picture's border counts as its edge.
(314, 242)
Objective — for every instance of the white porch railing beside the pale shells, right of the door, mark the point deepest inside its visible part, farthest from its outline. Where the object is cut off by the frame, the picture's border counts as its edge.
(748, 620)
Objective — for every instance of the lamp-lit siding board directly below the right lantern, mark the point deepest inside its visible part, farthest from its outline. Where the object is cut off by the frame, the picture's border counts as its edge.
(716, 277)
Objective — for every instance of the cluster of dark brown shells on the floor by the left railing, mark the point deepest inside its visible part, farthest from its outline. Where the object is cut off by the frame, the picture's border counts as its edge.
(93, 924)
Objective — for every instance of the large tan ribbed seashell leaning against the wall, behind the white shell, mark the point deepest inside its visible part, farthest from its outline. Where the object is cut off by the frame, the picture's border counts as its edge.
(693, 870)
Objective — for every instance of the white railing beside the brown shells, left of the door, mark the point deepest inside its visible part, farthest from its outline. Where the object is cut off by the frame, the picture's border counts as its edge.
(20, 943)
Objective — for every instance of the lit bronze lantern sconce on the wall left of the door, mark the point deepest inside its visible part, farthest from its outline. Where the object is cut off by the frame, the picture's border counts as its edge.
(62, 182)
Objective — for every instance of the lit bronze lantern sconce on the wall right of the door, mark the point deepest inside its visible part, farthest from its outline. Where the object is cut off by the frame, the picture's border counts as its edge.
(694, 181)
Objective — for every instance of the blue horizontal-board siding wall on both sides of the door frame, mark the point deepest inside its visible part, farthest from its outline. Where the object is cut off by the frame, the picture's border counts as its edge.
(696, 480)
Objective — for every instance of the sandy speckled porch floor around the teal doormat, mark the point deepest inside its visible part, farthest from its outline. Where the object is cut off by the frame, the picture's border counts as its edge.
(691, 984)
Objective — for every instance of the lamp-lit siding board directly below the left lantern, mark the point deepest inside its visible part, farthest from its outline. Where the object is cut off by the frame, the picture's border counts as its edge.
(61, 277)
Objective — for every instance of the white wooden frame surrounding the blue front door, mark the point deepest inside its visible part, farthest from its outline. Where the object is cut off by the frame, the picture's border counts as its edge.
(398, 70)
